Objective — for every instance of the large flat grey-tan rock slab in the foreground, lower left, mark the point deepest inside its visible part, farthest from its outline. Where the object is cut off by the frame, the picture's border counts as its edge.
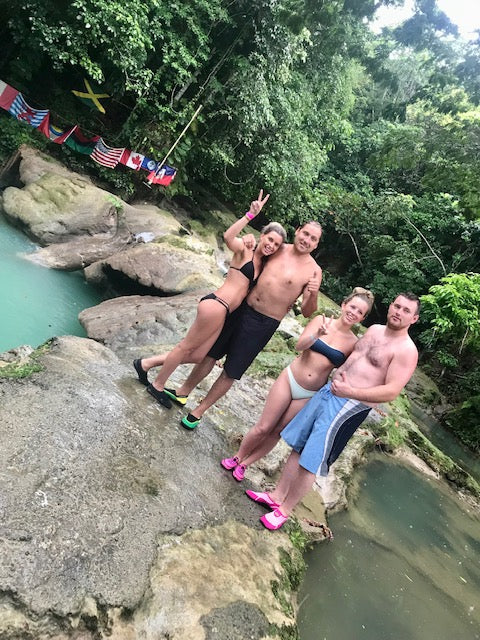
(116, 522)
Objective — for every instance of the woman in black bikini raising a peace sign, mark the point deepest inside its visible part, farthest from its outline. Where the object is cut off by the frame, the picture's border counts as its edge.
(246, 265)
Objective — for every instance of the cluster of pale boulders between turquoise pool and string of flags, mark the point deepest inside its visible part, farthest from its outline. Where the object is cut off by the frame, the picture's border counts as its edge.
(134, 249)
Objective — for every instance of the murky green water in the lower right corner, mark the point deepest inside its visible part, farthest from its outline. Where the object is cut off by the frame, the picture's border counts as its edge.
(404, 564)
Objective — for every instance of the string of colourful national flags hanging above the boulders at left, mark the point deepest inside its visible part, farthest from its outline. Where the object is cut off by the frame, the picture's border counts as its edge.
(13, 101)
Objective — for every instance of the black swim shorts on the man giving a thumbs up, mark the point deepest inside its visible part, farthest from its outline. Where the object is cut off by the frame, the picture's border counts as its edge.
(244, 335)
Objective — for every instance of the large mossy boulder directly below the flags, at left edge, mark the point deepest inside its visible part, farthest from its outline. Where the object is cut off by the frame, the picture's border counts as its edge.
(75, 221)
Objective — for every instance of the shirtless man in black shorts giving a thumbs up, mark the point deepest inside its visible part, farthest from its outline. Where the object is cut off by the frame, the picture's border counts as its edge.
(290, 272)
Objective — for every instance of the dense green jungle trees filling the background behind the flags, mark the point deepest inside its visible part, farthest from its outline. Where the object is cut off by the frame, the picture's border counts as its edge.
(376, 135)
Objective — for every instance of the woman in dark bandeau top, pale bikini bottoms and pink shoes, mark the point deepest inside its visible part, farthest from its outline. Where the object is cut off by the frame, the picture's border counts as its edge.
(303, 377)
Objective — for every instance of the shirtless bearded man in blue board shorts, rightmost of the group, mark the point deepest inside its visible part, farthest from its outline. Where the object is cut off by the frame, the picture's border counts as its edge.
(380, 365)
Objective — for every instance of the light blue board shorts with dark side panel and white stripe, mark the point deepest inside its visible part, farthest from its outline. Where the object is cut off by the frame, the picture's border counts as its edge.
(320, 431)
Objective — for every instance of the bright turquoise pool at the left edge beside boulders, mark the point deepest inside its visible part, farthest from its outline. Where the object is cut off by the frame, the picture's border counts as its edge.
(37, 303)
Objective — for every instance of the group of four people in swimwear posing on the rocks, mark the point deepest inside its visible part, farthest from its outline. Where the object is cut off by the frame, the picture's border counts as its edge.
(315, 417)
